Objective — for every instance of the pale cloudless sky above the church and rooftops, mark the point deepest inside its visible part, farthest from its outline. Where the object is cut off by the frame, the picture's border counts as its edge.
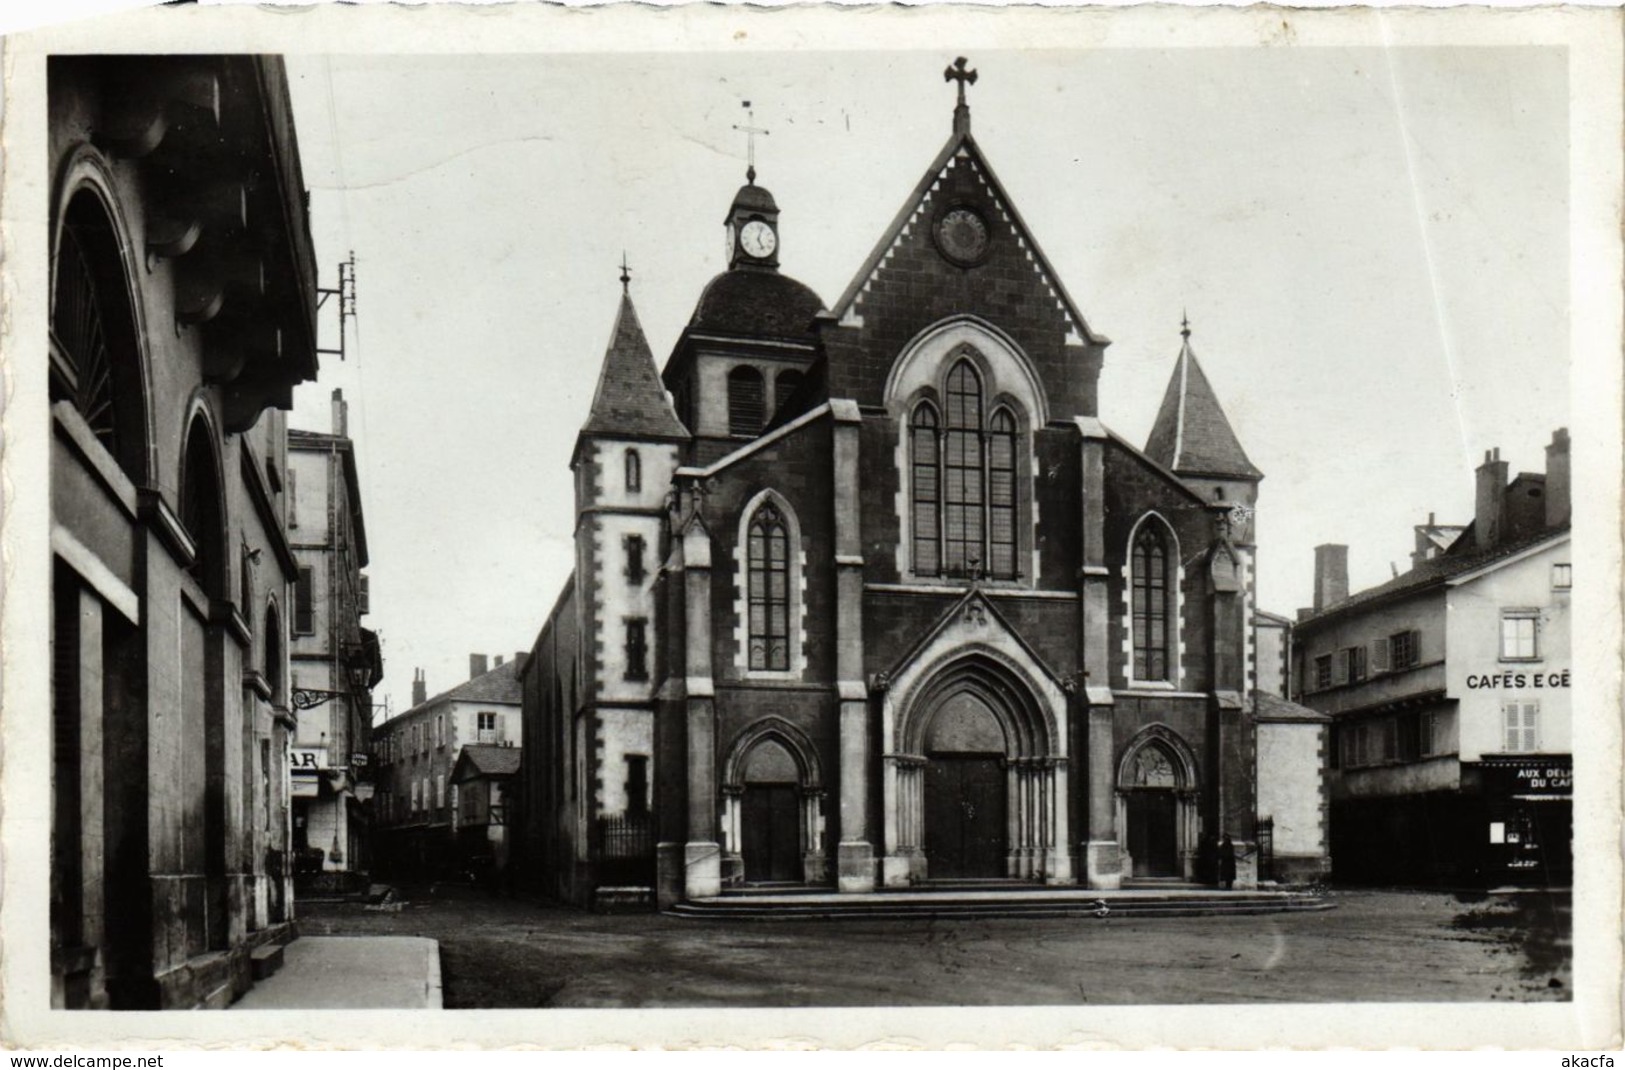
(1372, 248)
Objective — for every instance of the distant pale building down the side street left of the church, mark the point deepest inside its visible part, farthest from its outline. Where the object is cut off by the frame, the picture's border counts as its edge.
(418, 807)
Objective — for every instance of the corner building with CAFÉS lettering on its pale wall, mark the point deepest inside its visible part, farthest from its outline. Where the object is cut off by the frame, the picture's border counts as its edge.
(1450, 692)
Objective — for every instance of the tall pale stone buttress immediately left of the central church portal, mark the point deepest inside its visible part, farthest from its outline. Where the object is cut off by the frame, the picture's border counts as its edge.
(856, 855)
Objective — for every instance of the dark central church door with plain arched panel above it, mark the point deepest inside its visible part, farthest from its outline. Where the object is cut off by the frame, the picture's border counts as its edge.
(966, 794)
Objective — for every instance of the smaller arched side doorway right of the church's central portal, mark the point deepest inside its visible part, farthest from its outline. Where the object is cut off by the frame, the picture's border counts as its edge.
(1158, 806)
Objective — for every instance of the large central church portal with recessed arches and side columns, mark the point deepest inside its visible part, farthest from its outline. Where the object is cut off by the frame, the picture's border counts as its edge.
(977, 785)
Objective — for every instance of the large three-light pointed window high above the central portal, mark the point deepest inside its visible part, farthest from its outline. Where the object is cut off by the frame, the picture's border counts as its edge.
(964, 484)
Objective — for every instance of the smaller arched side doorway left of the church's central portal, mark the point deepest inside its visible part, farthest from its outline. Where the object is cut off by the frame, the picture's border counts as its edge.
(774, 807)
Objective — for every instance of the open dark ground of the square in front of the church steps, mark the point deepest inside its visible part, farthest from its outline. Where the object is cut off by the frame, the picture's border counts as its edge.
(1377, 946)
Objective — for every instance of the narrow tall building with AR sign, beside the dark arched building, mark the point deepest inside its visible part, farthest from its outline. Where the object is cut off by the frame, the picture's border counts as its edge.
(336, 661)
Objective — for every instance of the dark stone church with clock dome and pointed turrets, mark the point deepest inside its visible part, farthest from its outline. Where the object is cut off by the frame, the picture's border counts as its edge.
(867, 594)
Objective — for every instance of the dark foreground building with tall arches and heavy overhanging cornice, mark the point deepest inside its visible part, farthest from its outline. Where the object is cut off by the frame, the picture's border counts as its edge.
(183, 315)
